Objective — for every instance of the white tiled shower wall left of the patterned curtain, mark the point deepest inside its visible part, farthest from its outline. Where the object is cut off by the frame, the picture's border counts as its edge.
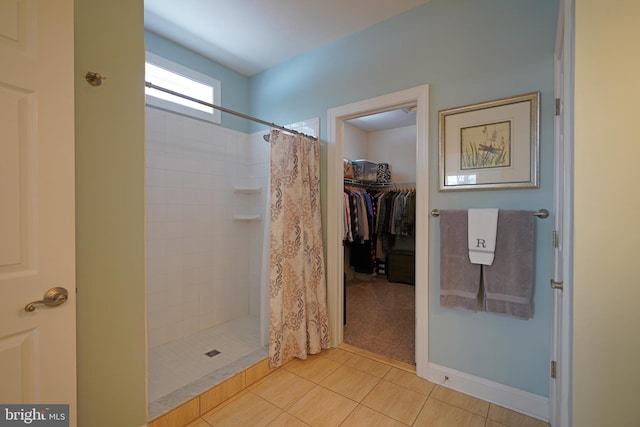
(200, 262)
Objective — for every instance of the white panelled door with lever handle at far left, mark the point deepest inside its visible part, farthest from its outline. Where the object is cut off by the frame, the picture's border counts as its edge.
(37, 223)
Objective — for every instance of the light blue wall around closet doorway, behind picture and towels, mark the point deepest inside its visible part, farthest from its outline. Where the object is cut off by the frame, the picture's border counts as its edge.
(468, 51)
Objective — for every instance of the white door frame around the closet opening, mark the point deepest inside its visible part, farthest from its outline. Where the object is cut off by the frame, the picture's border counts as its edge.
(335, 256)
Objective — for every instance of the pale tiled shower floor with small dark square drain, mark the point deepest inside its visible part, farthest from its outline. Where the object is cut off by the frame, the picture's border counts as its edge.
(180, 369)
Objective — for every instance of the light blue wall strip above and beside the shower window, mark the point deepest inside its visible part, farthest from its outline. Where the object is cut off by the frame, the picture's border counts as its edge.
(234, 86)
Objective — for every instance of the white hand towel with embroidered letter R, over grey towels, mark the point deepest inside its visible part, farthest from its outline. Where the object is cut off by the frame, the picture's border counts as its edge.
(483, 225)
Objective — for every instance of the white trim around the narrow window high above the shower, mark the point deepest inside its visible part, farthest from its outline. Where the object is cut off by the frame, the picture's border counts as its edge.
(214, 116)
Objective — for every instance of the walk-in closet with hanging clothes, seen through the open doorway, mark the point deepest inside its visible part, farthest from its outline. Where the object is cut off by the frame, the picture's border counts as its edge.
(379, 233)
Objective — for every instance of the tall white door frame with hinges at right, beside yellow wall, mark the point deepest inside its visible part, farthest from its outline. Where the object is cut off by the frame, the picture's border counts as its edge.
(559, 393)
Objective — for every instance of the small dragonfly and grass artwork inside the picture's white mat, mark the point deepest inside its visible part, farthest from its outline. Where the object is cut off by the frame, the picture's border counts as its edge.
(485, 146)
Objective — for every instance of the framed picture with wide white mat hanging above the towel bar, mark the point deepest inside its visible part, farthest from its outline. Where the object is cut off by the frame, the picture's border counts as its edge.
(491, 145)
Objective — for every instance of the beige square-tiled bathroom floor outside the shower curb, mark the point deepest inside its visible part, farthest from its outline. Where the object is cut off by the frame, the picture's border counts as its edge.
(343, 388)
